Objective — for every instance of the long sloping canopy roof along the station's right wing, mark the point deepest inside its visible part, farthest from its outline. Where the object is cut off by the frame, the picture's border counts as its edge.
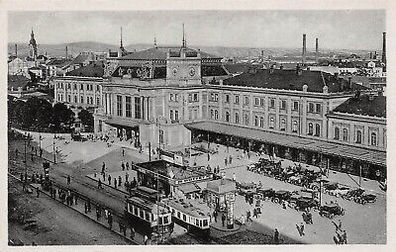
(361, 154)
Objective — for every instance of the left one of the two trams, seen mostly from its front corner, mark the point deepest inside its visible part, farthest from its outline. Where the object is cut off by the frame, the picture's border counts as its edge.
(148, 217)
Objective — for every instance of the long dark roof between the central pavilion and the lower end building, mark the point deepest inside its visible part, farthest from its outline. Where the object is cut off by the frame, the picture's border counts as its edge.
(290, 80)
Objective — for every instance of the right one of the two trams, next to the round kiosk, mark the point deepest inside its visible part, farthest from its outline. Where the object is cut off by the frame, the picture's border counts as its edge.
(190, 214)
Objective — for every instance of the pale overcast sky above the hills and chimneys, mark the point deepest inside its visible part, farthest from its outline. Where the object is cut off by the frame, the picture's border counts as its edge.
(358, 29)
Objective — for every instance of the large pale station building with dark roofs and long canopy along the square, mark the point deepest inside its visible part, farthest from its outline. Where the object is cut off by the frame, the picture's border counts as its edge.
(169, 97)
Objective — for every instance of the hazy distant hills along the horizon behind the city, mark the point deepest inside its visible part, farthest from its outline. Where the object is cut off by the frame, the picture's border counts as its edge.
(56, 50)
